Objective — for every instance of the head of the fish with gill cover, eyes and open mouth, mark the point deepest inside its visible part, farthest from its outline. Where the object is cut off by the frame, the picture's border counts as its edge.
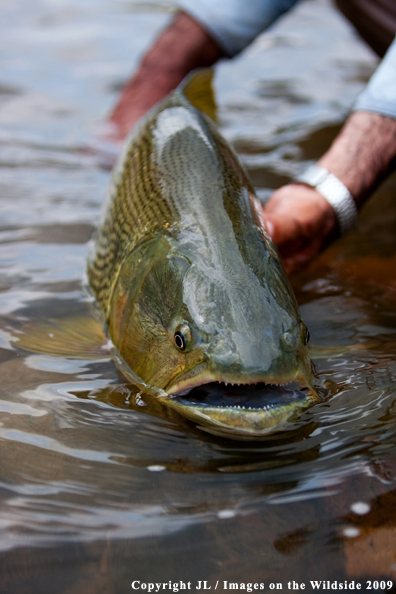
(186, 331)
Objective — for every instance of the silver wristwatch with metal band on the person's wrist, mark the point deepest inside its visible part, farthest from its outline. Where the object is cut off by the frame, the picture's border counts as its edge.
(335, 193)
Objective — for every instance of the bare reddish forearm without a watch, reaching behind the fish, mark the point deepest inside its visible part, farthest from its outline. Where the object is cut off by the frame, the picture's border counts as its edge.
(181, 47)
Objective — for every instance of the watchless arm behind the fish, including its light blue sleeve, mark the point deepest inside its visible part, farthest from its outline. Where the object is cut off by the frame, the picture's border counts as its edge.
(196, 38)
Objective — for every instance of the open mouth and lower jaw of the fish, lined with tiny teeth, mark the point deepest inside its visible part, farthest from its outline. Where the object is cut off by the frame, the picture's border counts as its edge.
(246, 411)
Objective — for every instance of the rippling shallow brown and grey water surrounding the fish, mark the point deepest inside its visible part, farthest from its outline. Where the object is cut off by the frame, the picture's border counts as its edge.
(96, 490)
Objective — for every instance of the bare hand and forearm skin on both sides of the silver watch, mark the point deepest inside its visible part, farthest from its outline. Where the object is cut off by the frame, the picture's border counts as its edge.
(299, 219)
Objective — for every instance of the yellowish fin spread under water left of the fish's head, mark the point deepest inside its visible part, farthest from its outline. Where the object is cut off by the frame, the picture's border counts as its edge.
(75, 338)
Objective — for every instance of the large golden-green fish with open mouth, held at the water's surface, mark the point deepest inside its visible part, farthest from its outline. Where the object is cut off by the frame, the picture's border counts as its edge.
(191, 286)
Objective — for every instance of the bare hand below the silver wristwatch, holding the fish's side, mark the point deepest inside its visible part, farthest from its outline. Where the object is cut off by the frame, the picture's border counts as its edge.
(301, 222)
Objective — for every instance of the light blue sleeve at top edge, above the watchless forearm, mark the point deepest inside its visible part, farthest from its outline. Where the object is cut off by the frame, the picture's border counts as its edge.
(235, 23)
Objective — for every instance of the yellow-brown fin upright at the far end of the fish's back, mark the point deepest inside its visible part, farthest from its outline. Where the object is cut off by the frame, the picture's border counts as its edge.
(198, 89)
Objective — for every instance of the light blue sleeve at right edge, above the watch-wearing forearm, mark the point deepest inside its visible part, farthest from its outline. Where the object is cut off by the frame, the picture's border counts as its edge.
(380, 94)
